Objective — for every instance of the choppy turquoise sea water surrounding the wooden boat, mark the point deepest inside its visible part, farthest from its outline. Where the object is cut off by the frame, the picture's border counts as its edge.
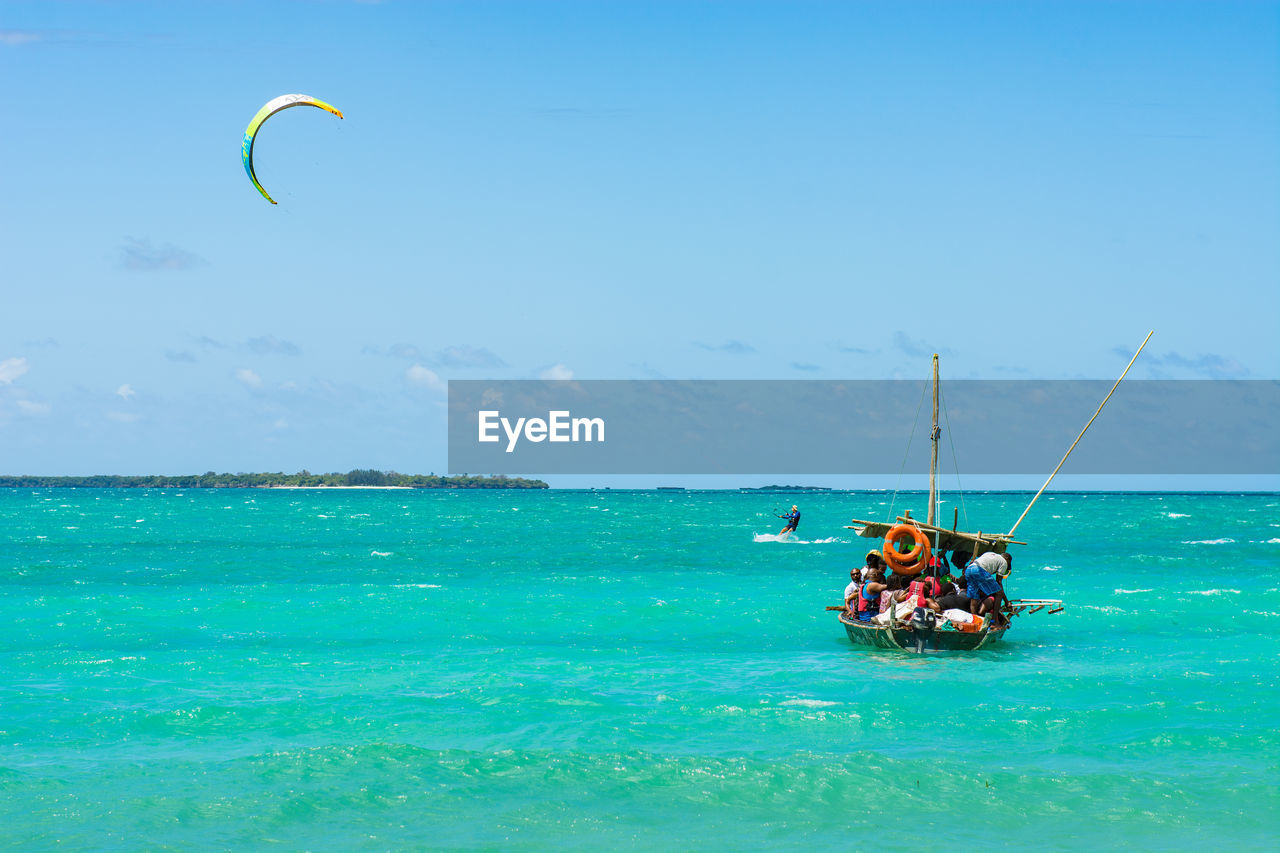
(369, 670)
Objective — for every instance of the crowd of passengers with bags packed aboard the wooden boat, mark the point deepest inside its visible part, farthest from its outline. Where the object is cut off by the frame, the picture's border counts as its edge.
(968, 603)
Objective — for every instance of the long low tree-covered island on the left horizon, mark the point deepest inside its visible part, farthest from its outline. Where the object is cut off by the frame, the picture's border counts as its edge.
(359, 478)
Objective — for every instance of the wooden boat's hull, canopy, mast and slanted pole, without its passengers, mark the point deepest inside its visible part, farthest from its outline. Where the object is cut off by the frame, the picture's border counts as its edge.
(926, 632)
